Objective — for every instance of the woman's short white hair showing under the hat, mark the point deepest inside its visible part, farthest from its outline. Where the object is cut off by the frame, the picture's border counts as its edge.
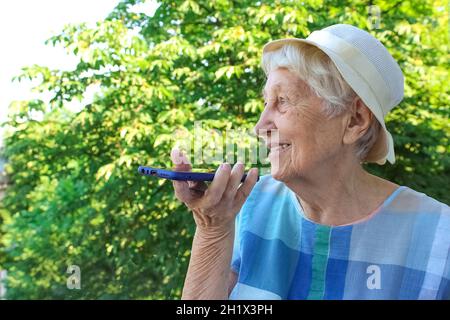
(318, 71)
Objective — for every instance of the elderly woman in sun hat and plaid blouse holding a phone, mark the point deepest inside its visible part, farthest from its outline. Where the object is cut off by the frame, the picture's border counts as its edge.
(320, 226)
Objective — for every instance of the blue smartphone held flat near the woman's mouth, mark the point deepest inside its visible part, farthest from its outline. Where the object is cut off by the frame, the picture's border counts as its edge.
(179, 175)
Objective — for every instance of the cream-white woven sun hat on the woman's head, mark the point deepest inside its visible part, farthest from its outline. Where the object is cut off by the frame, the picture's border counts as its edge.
(367, 67)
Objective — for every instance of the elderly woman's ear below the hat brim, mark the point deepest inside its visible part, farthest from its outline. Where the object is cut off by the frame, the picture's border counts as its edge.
(358, 121)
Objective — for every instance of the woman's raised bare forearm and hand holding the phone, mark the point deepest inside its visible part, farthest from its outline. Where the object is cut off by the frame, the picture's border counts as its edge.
(214, 210)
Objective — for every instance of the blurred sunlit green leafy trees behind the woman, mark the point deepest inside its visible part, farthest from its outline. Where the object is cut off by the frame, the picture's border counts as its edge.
(73, 196)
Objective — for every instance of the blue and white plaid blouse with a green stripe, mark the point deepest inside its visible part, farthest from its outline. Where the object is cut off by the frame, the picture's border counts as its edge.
(400, 252)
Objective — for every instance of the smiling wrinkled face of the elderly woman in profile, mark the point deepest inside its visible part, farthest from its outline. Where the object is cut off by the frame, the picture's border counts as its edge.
(307, 139)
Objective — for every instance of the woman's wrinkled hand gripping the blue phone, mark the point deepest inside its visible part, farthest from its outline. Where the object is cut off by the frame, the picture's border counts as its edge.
(214, 207)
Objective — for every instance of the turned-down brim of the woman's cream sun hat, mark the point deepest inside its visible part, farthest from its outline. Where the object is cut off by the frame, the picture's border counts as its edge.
(383, 149)
